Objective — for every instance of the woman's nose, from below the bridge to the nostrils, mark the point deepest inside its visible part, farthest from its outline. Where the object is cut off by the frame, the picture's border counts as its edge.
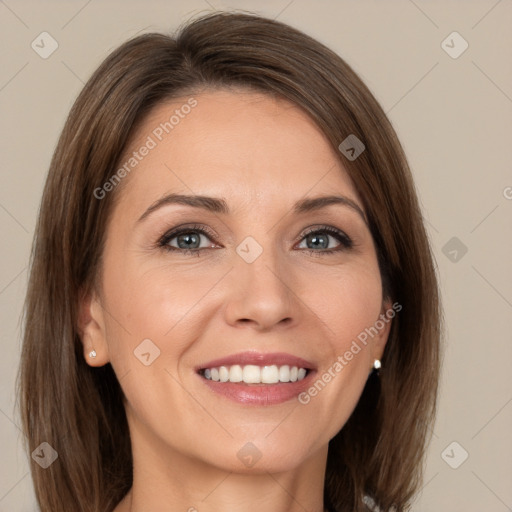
(261, 293)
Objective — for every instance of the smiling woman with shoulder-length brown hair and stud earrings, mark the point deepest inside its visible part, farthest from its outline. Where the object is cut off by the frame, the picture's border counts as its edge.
(232, 302)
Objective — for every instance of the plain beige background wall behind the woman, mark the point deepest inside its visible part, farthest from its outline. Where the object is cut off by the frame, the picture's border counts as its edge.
(454, 119)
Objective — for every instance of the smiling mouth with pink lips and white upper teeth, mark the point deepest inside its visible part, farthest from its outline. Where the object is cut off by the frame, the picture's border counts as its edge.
(257, 379)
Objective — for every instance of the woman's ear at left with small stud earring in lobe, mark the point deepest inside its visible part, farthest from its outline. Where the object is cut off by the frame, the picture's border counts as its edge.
(91, 326)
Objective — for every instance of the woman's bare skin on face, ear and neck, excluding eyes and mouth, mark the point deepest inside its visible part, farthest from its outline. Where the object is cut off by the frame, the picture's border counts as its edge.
(261, 155)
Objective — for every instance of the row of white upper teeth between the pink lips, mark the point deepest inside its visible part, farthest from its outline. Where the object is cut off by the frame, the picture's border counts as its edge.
(252, 374)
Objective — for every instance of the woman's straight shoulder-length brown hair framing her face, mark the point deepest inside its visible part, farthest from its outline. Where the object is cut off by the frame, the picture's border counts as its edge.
(79, 410)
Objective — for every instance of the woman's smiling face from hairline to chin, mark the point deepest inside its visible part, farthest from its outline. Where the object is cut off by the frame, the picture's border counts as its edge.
(262, 275)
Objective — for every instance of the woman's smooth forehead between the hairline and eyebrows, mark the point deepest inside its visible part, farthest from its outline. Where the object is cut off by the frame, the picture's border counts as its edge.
(251, 147)
